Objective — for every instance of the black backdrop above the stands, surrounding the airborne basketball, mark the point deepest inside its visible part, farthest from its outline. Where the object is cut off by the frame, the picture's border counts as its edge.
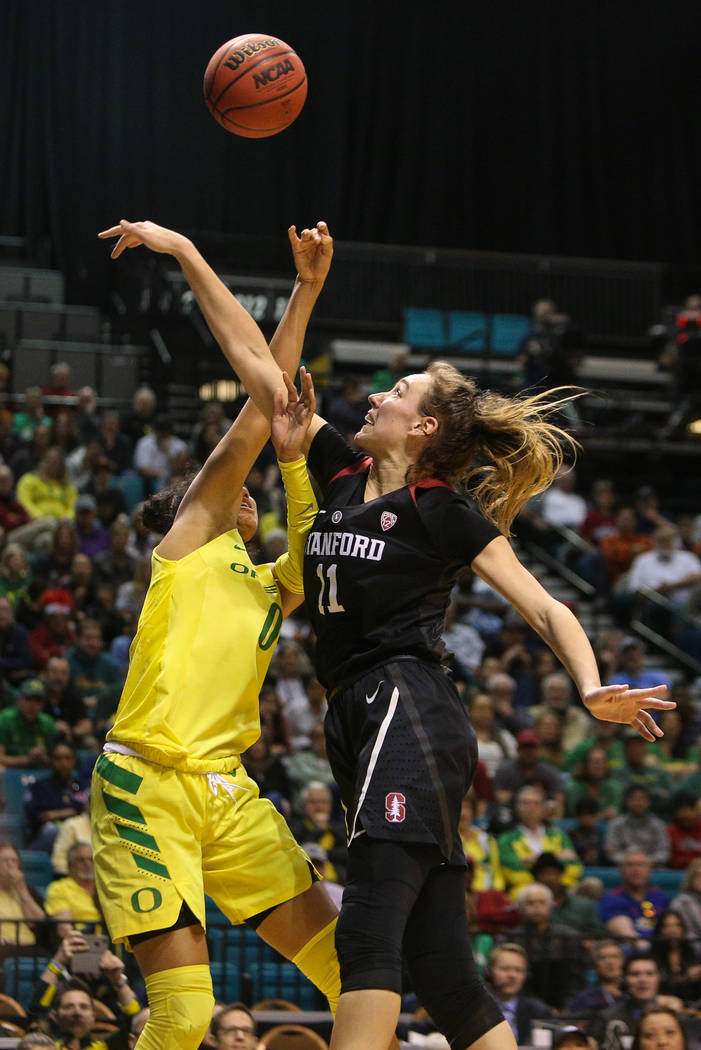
(566, 129)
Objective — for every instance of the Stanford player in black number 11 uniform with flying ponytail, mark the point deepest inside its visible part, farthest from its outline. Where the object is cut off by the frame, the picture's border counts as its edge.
(390, 539)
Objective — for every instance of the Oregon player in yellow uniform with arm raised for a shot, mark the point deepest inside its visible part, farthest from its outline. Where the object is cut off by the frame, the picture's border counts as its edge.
(175, 815)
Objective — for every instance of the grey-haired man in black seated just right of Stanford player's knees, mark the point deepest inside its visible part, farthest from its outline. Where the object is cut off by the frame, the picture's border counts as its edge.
(558, 960)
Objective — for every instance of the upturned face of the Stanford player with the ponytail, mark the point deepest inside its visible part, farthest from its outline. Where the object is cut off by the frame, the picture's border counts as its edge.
(394, 416)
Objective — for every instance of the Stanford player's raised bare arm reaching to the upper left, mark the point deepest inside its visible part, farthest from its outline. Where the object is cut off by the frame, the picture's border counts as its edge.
(233, 328)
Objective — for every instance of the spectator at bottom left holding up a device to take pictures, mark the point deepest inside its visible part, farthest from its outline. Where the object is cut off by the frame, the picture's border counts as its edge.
(67, 1003)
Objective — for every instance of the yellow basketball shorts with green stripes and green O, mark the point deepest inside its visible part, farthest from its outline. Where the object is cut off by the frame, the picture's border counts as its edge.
(161, 837)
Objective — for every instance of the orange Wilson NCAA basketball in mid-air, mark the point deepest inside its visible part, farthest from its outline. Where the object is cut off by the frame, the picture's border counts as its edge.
(256, 86)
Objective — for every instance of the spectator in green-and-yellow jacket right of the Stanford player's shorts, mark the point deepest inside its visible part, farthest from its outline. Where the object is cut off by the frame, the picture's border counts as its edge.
(520, 848)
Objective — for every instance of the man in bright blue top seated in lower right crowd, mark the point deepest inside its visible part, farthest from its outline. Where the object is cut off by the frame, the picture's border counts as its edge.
(630, 912)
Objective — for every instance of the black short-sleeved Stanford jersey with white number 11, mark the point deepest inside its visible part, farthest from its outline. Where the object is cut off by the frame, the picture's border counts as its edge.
(378, 576)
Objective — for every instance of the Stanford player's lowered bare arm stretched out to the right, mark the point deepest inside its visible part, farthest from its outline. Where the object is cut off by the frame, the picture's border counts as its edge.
(499, 566)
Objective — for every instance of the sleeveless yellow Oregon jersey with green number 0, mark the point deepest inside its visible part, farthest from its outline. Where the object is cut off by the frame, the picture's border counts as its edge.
(205, 639)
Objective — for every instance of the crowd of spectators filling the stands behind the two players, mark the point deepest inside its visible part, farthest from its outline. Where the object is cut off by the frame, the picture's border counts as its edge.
(570, 824)
